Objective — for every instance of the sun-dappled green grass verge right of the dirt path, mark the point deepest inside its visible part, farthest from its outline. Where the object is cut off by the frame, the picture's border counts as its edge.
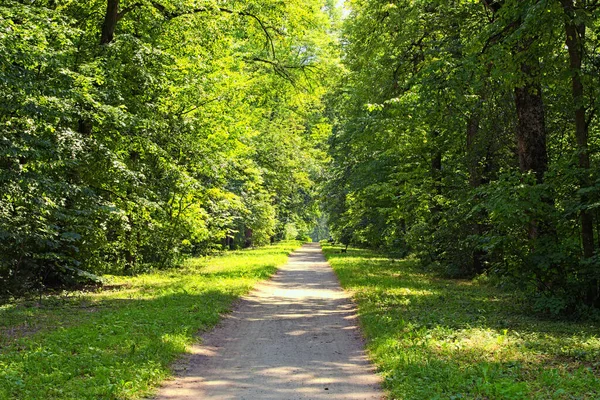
(434, 338)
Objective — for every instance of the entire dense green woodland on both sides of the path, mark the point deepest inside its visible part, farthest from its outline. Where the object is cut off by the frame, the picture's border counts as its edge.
(465, 134)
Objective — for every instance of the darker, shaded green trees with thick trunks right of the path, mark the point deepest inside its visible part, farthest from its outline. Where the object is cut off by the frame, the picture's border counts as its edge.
(467, 132)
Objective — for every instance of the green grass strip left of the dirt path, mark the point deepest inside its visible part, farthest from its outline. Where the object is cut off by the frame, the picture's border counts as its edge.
(119, 343)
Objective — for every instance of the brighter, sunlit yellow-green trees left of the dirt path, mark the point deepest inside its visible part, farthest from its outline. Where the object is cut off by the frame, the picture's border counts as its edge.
(136, 132)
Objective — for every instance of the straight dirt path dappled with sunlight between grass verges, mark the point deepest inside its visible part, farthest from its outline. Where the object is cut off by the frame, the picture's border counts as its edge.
(293, 337)
